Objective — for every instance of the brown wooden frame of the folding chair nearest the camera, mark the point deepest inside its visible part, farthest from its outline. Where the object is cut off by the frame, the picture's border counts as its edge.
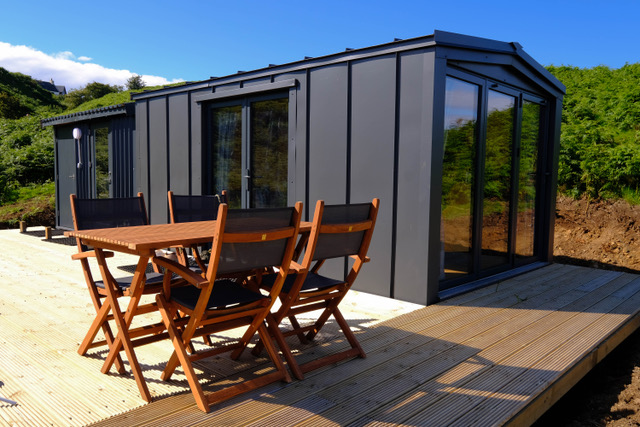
(203, 321)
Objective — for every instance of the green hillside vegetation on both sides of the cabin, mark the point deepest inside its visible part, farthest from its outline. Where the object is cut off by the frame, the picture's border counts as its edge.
(599, 148)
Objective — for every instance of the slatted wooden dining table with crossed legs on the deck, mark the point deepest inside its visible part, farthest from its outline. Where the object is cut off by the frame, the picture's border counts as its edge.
(143, 241)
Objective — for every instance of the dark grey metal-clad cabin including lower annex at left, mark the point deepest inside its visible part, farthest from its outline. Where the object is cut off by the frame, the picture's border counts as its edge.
(457, 135)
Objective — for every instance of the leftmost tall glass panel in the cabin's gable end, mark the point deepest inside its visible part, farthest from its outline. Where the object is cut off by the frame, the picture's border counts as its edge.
(461, 110)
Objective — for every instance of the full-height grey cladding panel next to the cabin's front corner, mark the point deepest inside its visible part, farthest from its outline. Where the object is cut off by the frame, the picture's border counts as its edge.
(414, 166)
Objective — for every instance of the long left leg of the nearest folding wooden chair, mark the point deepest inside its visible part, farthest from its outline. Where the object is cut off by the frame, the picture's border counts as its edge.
(181, 355)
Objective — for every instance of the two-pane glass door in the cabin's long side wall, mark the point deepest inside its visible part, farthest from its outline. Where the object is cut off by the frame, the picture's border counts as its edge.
(246, 151)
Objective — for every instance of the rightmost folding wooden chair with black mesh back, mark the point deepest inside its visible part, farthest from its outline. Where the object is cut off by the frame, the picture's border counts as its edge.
(337, 231)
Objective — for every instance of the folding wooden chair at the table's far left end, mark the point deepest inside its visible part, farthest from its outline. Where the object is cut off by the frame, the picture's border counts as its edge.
(108, 213)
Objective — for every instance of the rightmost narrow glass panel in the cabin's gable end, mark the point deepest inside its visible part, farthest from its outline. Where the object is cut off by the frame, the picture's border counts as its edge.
(527, 188)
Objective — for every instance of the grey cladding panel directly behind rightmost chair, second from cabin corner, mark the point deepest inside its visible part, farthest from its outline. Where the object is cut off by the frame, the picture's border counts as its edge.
(372, 159)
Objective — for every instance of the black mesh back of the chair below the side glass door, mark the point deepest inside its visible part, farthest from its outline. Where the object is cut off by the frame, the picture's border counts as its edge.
(188, 208)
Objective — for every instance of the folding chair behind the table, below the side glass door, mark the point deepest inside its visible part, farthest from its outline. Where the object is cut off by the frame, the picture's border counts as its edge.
(187, 208)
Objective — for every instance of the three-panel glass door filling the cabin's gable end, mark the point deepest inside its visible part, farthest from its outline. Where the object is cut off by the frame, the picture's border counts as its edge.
(490, 181)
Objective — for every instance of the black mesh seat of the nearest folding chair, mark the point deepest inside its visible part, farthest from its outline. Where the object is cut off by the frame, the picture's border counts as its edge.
(225, 294)
